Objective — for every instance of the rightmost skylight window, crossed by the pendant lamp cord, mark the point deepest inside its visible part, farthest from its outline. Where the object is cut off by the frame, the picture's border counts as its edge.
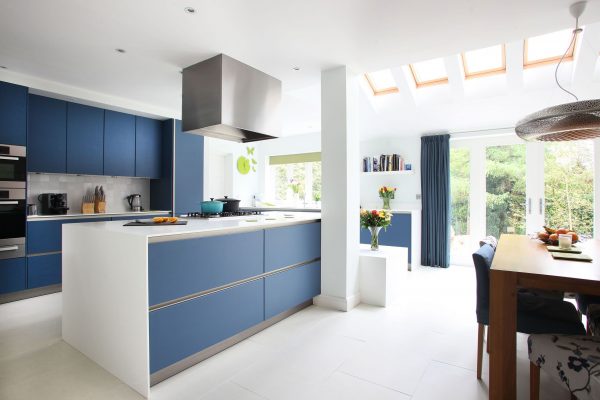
(548, 48)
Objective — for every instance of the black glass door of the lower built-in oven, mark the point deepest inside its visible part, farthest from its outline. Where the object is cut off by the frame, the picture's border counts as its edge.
(13, 216)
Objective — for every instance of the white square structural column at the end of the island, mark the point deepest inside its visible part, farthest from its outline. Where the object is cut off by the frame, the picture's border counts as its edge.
(340, 191)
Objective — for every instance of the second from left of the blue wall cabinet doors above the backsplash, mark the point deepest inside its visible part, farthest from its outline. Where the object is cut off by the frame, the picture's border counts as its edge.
(85, 139)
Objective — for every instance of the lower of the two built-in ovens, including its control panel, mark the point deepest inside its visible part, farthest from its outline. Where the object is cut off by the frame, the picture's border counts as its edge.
(13, 220)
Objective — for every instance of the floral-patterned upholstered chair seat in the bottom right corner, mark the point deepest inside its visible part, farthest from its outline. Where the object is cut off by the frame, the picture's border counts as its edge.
(572, 360)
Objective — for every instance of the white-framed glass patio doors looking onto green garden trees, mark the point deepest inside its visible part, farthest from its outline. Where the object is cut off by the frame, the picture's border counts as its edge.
(503, 185)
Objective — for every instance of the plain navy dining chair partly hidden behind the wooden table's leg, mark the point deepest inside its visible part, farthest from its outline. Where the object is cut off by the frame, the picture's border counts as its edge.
(535, 313)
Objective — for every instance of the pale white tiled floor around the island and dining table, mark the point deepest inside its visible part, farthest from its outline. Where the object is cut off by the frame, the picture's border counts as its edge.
(421, 347)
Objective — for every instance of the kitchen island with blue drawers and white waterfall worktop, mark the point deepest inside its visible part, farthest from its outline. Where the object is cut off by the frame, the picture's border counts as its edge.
(148, 302)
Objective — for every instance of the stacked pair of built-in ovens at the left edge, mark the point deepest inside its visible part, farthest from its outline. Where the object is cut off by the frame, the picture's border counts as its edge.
(13, 213)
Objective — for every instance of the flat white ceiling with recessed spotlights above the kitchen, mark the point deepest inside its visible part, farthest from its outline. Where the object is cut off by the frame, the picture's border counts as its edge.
(72, 42)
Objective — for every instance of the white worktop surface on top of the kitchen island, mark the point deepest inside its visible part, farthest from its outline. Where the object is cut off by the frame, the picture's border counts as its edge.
(197, 227)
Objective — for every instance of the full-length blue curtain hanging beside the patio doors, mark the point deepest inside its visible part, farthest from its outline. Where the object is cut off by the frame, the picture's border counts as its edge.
(435, 198)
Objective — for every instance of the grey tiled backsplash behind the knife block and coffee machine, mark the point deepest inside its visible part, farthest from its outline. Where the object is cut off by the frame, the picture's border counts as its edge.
(76, 186)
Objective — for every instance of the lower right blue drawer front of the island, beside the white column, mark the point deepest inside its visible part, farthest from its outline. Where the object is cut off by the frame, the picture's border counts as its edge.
(288, 289)
